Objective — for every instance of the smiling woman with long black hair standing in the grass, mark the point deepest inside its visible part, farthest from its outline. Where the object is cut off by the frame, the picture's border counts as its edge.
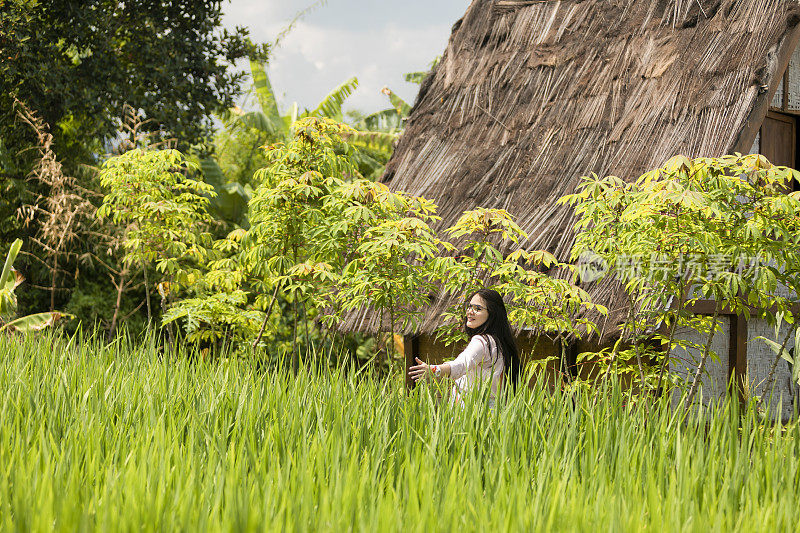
(490, 354)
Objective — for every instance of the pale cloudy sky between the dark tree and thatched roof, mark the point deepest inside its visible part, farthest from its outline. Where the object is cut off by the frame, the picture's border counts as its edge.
(376, 41)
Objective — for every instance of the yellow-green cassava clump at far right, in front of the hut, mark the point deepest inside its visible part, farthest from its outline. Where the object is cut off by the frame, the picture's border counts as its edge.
(723, 229)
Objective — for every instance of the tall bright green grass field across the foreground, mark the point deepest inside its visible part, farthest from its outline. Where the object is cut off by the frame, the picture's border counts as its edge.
(115, 437)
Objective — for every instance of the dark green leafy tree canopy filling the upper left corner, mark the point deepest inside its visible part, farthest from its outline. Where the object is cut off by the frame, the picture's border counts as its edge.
(77, 63)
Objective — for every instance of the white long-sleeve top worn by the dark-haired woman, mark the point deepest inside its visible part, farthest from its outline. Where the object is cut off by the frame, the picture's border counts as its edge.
(481, 360)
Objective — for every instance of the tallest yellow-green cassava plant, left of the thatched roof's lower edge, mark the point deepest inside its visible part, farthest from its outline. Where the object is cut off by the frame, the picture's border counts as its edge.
(289, 222)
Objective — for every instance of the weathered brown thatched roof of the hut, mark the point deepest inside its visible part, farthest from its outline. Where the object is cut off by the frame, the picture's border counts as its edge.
(531, 95)
